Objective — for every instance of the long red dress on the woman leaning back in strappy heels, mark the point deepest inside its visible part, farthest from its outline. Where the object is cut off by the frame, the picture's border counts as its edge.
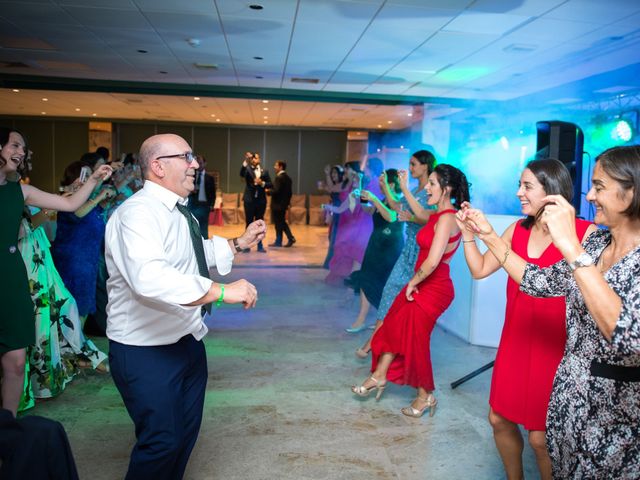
(407, 328)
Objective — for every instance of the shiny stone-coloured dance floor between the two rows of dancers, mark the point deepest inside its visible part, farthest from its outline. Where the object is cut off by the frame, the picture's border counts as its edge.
(278, 403)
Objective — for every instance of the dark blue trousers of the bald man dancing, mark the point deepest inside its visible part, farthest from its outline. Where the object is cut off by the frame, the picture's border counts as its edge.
(163, 389)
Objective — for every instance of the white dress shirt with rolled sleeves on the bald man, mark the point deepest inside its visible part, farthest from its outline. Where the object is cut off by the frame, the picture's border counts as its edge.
(153, 272)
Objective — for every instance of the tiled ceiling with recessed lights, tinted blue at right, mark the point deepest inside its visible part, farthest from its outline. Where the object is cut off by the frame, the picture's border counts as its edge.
(320, 63)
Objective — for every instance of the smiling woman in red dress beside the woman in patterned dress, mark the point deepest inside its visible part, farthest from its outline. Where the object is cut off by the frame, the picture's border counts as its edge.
(533, 335)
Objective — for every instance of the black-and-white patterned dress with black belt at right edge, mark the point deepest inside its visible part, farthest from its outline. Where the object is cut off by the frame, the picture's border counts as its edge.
(593, 423)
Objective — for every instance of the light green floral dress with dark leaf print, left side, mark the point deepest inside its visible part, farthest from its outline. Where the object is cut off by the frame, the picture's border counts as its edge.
(52, 361)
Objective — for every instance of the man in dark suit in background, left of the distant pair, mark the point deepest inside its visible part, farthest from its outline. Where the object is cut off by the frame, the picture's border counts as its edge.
(255, 198)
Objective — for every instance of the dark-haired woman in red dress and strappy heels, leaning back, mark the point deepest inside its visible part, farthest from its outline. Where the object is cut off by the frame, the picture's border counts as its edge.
(400, 348)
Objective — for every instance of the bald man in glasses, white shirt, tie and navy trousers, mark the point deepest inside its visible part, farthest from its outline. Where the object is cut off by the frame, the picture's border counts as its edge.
(158, 291)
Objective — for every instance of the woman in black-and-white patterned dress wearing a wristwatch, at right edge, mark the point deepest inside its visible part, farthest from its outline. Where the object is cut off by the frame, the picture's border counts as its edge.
(593, 421)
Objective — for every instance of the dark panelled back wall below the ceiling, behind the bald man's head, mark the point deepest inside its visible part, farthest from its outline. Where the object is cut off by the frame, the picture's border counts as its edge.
(58, 142)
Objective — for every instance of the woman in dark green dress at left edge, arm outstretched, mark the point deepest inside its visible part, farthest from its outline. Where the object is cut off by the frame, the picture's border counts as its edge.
(17, 322)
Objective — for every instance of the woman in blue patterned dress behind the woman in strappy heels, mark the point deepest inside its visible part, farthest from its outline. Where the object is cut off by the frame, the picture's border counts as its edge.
(412, 209)
